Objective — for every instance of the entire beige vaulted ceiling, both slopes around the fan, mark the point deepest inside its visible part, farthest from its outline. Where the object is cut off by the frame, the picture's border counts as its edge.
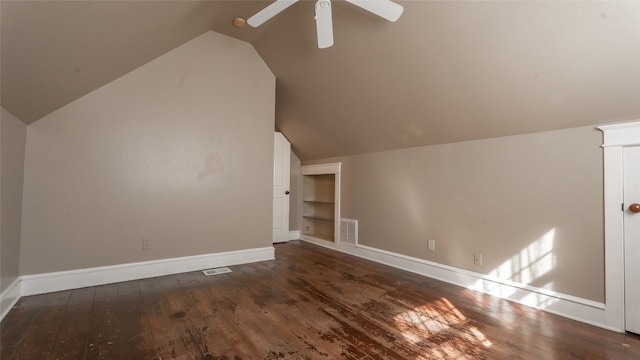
(447, 71)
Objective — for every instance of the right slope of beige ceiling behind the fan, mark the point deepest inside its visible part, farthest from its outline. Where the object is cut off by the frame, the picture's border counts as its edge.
(453, 71)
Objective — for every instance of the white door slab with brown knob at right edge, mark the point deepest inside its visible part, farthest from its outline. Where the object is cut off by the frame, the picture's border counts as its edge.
(632, 237)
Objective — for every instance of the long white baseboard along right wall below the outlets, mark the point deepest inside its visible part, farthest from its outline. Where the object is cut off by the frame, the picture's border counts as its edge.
(580, 309)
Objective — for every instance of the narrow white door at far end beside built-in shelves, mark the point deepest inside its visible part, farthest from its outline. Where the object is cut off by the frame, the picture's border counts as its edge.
(281, 169)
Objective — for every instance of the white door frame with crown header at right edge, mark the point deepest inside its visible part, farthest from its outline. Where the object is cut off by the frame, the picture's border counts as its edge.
(616, 138)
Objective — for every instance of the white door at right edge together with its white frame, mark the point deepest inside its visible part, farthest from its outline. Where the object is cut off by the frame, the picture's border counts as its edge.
(622, 274)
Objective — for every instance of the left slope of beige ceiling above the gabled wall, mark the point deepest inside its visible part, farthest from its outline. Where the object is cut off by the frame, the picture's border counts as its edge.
(53, 52)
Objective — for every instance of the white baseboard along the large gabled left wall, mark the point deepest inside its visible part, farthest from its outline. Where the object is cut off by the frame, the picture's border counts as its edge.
(73, 279)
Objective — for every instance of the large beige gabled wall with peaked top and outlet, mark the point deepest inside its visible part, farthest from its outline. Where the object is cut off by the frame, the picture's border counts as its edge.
(179, 152)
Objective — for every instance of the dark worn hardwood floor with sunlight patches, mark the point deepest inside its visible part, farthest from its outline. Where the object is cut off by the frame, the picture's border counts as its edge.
(310, 303)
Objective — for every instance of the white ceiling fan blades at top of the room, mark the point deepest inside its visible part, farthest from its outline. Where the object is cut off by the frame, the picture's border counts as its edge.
(324, 24)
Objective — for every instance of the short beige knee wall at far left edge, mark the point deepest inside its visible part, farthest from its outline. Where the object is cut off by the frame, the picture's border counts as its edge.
(13, 136)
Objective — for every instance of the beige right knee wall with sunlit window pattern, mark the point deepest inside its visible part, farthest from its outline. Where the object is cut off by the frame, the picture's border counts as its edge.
(531, 205)
